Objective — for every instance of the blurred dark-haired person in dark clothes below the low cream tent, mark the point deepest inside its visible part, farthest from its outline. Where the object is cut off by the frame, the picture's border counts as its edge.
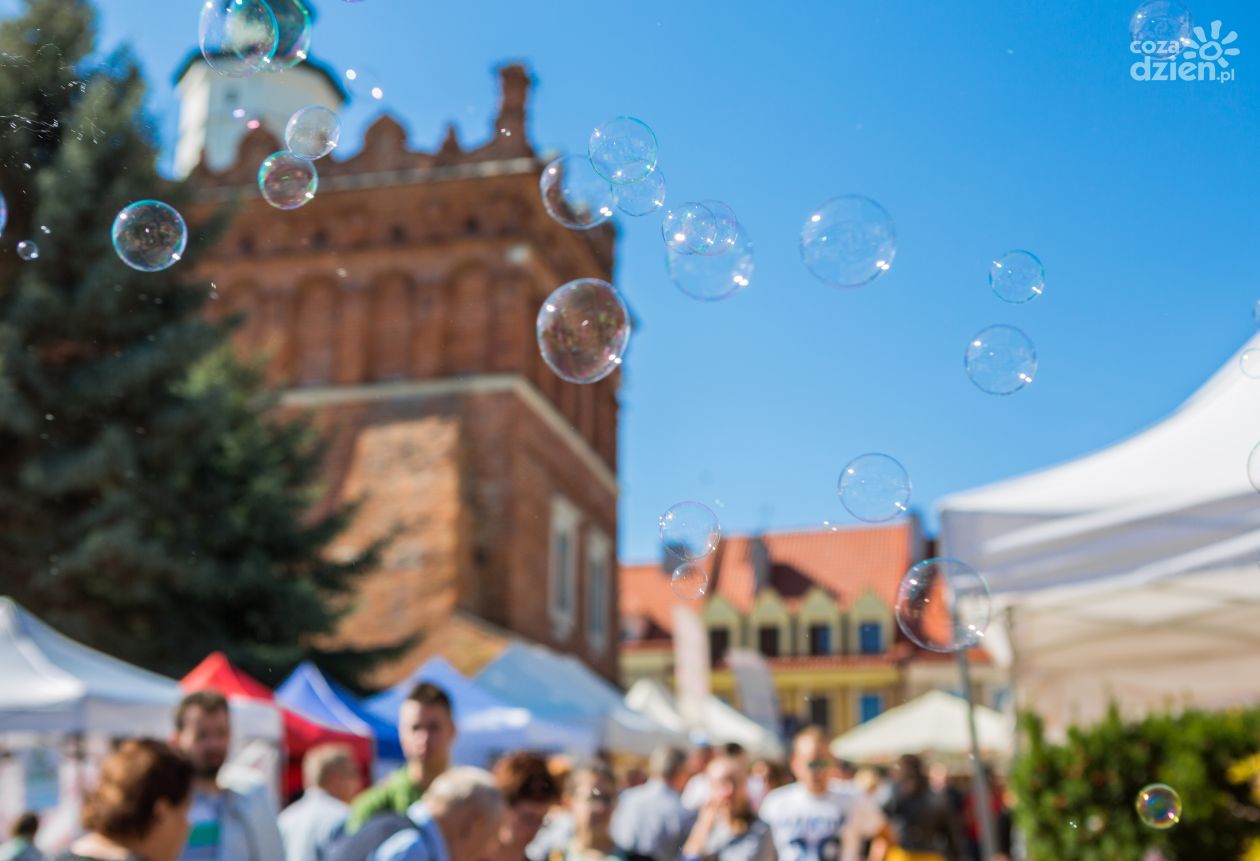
(923, 820)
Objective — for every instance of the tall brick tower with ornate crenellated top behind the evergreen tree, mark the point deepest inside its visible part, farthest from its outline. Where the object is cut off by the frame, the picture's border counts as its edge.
(400, 307)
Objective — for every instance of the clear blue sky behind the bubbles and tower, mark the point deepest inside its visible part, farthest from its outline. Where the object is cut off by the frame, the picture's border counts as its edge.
(981, 127)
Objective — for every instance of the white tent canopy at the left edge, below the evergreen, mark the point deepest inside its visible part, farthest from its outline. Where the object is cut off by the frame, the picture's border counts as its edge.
(55, 685)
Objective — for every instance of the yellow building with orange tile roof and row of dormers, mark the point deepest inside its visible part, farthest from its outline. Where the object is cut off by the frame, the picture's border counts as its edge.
(817, 606)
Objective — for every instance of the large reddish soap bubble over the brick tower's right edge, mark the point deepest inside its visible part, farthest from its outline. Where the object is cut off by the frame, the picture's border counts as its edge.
(584, 330)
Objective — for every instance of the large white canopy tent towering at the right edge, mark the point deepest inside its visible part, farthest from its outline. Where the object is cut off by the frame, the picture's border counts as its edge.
(1130, 574)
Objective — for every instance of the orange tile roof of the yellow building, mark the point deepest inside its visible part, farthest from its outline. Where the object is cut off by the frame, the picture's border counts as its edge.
(844, 563)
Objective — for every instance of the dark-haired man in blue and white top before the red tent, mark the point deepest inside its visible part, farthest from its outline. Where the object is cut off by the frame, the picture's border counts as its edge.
(226, 826)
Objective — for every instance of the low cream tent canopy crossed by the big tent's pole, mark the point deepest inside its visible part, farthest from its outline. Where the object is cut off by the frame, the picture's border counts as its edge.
(933, 724)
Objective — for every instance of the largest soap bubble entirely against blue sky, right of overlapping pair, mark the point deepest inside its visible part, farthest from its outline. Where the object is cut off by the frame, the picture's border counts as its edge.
(849, 241)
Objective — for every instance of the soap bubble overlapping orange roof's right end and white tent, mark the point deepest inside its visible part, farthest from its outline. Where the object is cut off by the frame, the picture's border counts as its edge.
(944, 606)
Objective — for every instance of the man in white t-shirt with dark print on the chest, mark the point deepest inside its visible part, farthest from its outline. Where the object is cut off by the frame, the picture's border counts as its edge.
(811, 823)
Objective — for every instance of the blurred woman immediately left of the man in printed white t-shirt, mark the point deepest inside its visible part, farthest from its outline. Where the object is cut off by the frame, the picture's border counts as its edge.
(728, 830)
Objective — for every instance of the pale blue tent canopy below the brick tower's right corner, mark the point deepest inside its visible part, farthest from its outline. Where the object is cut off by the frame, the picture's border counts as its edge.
(561, 689)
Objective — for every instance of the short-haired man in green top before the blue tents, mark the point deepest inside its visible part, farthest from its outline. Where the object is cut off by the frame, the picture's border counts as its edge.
(427, 729)
